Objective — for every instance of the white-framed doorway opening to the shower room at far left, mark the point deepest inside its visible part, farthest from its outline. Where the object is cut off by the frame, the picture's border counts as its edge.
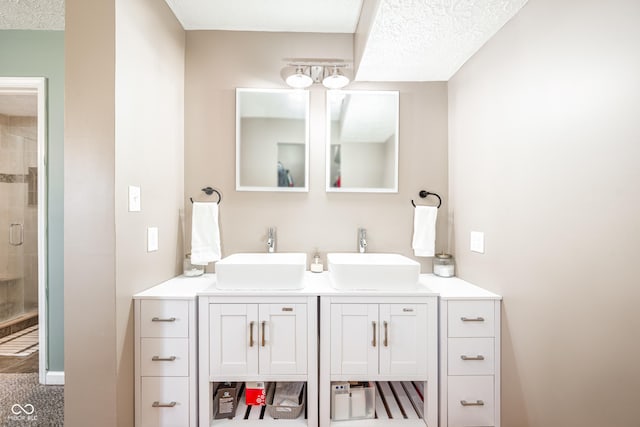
(23, 226)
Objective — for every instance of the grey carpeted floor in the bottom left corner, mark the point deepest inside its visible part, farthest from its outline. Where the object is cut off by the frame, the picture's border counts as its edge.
(27, 403)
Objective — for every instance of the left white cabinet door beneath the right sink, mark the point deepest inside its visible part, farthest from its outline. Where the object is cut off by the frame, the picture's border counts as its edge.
(354, 339)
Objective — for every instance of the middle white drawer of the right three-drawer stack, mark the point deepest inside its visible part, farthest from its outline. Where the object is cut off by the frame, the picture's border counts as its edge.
(471, 356)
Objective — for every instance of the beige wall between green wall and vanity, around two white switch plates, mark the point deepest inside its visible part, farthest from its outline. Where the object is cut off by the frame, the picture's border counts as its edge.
(124, 85)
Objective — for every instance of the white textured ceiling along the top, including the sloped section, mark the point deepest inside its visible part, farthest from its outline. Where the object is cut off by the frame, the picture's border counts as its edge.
(409, 40)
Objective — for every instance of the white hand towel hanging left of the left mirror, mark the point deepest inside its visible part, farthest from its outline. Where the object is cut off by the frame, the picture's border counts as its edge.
(205, 235)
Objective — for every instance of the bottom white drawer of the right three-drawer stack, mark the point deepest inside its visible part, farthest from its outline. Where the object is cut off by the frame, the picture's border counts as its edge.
(471, 401)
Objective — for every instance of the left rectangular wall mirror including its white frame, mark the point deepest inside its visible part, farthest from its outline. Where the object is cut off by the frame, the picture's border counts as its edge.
(272, 140)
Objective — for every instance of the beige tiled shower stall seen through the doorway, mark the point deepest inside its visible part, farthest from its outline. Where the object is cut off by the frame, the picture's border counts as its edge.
(18, 209)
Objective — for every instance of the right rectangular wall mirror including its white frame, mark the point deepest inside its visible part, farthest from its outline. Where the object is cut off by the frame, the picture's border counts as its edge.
(362, 141)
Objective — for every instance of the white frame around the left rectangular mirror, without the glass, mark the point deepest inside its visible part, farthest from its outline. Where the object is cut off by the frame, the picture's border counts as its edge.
(302, 93)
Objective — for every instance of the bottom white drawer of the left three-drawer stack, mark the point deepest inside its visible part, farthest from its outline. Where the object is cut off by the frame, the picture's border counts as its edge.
(165, 402)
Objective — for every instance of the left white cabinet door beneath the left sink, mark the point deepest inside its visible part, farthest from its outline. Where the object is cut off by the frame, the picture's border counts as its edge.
(233, 348)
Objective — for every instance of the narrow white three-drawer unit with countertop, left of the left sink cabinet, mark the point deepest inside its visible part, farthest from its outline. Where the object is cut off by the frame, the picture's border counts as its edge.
(165, 364)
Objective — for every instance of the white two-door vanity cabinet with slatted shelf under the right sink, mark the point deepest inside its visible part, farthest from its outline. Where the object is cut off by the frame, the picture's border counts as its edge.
(389, 341)
